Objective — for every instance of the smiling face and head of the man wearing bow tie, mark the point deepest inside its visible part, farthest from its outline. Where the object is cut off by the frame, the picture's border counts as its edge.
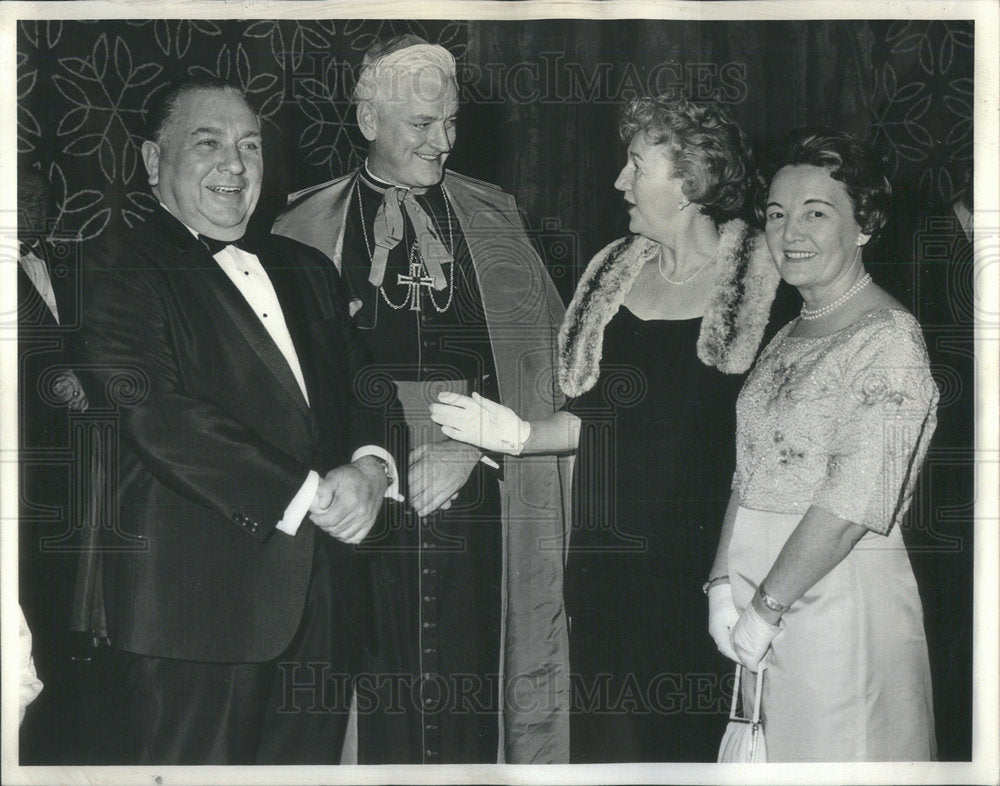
(207, 165)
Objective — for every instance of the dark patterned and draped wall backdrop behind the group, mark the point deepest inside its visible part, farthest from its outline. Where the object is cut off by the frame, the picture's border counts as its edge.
(538, 117)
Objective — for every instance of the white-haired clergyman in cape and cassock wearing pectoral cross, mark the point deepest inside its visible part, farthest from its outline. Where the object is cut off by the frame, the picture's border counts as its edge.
(448, 293)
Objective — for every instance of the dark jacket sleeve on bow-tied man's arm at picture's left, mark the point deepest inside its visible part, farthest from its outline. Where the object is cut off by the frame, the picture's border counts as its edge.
(192, 445)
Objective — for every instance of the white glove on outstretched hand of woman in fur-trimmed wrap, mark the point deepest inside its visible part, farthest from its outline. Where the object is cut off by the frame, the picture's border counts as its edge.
(480, 422)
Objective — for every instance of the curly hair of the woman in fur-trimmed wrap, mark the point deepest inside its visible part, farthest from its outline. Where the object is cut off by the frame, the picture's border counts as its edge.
(706, 148)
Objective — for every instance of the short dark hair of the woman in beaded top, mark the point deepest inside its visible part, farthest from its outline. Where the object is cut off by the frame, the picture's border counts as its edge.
(847, 158)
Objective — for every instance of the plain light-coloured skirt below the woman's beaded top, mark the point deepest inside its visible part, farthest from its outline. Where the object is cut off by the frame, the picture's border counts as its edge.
(848, 678)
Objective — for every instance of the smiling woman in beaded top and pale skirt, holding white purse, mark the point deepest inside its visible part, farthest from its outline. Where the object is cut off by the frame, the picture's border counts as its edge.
(833, 423)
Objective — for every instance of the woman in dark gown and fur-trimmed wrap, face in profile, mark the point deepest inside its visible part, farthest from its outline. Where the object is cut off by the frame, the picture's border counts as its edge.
(662, 326)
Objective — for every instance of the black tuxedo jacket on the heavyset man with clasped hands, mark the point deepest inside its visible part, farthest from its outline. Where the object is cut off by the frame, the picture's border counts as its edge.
(215, 438)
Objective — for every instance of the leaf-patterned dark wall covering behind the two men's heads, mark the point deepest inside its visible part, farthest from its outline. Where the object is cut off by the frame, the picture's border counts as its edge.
(83, 86)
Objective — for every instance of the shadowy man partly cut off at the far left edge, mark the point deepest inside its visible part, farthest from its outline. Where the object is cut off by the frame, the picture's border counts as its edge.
(47, 278)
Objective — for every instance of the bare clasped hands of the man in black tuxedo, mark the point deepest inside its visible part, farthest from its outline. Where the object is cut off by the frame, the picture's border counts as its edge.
(348, 500)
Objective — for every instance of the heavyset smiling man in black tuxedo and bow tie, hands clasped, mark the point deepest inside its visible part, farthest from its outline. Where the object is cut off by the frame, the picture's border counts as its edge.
(234, 596)
